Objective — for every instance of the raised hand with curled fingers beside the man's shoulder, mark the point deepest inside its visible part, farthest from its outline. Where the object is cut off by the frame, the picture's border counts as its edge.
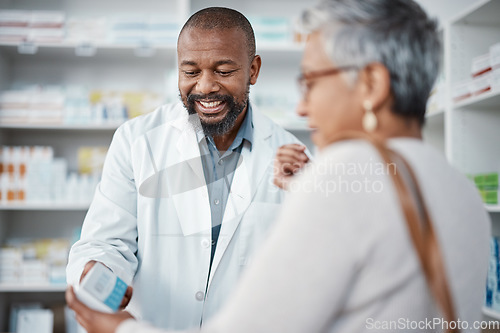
(289, 159)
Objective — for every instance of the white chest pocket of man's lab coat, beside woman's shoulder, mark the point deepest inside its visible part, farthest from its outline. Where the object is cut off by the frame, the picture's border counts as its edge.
(254, 227)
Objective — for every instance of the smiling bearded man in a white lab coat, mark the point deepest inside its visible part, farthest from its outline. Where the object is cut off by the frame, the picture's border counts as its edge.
(187, 192)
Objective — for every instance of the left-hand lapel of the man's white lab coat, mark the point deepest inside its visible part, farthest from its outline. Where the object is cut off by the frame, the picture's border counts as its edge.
(193, 207)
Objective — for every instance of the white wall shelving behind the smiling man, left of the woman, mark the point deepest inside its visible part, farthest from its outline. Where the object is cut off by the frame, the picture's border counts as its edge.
(114, 67)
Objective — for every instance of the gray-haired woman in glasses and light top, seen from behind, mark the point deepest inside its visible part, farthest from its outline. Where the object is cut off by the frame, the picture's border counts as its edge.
(344, 256)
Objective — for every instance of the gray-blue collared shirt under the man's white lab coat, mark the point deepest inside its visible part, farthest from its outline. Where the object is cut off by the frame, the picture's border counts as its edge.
(219, 168)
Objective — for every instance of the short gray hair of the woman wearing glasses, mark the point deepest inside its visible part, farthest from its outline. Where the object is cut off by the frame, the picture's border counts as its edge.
(396, 33)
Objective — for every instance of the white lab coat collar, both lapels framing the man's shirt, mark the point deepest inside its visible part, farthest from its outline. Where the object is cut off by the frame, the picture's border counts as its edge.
(248, 175)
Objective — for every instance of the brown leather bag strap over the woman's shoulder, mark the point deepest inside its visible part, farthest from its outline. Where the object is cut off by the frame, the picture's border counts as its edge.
(419, 225)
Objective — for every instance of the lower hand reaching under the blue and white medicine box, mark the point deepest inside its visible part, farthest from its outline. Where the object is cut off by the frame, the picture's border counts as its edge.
(95, 321)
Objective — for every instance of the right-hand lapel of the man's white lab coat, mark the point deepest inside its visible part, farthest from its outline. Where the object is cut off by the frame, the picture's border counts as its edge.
(251, 168)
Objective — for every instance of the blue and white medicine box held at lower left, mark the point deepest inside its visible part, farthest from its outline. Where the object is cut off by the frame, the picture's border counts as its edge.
(101, 289)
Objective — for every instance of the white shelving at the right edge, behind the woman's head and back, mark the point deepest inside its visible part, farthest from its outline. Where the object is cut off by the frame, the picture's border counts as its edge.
(470, 128)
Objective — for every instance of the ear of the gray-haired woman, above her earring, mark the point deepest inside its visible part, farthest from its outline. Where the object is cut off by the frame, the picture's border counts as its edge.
(376, 85)
